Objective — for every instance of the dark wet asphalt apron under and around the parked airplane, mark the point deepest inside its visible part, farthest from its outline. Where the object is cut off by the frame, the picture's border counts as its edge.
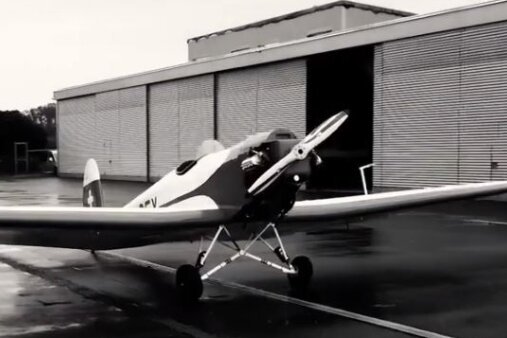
(442, 269)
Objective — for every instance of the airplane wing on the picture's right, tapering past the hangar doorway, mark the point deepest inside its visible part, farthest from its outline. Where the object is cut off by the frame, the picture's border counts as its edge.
(345, 207)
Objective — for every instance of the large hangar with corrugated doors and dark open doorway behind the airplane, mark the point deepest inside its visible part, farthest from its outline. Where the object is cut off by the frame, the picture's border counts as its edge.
(427, 97)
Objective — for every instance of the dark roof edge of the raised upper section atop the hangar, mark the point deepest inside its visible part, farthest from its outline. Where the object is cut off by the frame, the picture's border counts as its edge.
(297, 14)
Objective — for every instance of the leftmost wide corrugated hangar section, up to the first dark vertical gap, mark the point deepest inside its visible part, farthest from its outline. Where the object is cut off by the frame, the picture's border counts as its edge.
(109, 127)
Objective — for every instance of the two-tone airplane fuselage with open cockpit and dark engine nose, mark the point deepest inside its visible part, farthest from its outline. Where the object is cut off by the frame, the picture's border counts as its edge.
(220, 180)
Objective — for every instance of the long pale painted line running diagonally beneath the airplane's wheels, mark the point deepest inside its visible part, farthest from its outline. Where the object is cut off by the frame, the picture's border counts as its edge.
(271, 295)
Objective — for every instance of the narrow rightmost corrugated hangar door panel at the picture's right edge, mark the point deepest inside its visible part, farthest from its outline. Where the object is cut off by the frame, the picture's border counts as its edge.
(483, 149)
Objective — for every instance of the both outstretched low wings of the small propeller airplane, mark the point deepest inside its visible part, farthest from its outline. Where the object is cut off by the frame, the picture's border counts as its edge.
(108, 228)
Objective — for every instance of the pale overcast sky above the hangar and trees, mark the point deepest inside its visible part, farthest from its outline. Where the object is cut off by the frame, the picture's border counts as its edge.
(51, 44)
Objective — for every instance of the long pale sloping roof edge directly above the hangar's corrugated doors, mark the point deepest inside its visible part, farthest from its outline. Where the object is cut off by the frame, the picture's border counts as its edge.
(489, 12)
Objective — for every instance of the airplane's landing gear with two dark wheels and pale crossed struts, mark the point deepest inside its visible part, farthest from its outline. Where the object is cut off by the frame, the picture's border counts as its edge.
(299, 271)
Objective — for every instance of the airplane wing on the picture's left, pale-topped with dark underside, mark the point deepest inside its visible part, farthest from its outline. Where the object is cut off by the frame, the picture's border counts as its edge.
(105, 228)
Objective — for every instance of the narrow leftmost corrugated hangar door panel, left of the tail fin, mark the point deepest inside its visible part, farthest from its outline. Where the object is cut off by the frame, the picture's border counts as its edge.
(76, 133)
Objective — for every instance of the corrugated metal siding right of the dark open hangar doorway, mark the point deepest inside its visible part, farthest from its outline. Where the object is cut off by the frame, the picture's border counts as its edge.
(440, 108)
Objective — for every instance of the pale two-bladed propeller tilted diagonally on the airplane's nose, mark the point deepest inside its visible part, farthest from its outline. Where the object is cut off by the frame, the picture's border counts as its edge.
(299, 152)
